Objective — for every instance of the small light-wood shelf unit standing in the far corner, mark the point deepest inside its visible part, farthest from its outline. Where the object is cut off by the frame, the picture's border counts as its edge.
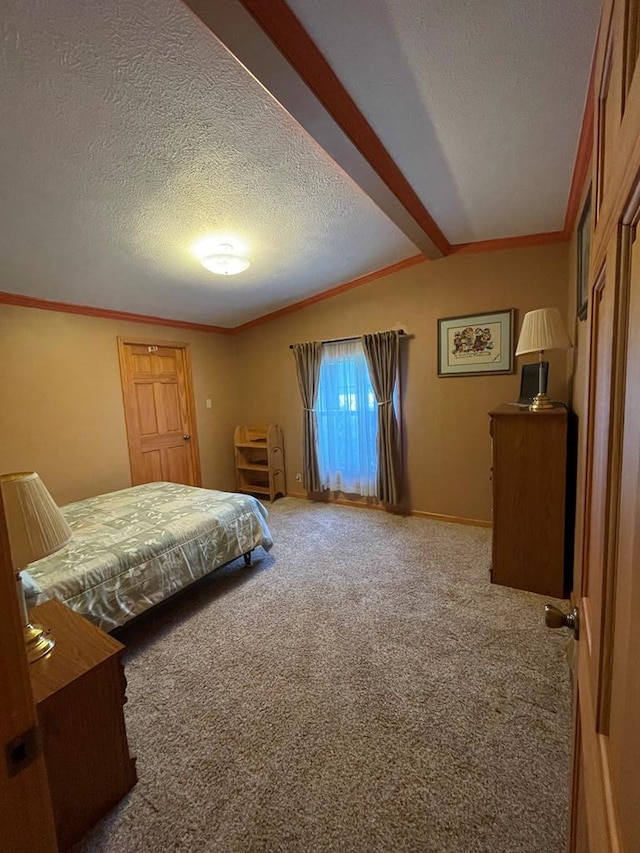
(259, 460)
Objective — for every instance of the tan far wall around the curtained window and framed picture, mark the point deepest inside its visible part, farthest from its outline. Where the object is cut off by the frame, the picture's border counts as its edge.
(445, 419)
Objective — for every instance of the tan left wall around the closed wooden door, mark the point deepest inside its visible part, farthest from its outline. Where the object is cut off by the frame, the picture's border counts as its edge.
(61, 410)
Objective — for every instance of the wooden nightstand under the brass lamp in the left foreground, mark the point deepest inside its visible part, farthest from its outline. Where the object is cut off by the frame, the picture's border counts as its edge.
(79, 691)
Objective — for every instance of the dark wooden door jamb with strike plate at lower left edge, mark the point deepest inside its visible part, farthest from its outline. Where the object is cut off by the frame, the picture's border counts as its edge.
(26, 820)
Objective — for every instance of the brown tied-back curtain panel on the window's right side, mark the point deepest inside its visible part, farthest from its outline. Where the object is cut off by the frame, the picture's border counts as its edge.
(382, 352)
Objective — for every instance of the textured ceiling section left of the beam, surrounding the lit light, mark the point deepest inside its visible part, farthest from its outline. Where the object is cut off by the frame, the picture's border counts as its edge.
(128, 132)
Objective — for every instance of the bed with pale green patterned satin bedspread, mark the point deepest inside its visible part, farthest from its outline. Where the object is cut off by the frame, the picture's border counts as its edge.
(133, 548)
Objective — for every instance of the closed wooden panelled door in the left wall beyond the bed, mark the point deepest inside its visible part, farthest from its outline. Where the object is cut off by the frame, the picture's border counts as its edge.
(159, 412)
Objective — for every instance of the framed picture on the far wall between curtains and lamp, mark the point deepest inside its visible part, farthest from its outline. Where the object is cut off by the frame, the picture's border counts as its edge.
(476, 344)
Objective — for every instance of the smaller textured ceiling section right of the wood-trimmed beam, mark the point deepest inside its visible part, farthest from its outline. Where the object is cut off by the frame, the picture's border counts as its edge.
(479, 103)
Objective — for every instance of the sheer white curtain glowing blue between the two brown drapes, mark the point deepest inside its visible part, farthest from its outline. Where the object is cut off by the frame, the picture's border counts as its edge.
(347, 420)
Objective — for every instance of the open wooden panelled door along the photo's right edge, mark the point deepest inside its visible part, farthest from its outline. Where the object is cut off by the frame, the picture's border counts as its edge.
(606, 789)
